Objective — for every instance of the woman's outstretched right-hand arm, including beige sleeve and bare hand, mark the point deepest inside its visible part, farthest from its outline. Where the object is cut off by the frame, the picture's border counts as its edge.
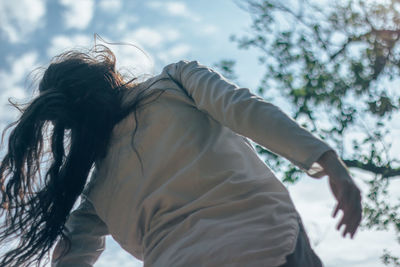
(266, 124)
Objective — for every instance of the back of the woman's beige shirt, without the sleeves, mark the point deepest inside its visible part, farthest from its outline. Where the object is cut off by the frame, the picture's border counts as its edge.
(203, 194)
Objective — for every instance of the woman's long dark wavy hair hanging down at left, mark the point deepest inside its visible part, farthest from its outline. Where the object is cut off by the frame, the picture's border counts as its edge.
(80, 99)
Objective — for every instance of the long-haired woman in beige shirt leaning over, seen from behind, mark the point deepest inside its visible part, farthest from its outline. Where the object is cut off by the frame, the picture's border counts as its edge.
(173, 178)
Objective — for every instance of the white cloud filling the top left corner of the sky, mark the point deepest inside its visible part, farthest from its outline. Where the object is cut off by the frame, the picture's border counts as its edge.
(19, 18)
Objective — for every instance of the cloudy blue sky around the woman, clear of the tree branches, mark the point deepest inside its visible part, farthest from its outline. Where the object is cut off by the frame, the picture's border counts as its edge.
(33, 31)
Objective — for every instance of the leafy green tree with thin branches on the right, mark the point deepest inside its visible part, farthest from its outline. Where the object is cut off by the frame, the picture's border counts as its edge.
(337, 63)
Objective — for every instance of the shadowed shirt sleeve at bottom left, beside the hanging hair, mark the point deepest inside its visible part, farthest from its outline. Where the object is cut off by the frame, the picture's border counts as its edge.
(86, 232)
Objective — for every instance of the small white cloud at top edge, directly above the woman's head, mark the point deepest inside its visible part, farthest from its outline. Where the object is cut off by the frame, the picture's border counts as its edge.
(78, 14)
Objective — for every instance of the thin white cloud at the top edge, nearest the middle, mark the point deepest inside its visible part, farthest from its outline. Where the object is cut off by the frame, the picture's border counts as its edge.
(174, 8)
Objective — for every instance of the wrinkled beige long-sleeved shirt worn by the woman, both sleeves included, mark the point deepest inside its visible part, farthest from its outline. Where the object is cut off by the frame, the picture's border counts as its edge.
(204, 197)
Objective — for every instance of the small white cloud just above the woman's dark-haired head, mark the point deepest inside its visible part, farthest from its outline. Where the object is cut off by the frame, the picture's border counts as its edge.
(61, 43)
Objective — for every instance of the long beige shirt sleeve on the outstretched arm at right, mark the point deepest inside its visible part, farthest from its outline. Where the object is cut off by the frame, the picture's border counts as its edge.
(249, 115)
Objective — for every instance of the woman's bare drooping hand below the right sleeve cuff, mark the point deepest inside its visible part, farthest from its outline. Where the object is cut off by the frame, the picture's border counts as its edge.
(347, 194)
